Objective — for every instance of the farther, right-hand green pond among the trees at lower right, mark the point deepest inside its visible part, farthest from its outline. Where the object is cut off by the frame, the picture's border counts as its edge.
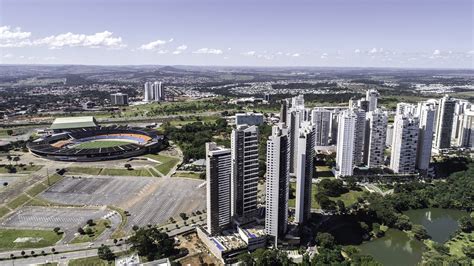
(439, 223)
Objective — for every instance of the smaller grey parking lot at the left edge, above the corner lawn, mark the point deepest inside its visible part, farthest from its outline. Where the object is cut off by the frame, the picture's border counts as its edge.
(49, 217)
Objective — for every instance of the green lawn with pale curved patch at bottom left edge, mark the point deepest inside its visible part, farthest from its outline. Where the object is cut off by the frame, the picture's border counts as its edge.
(7, 236)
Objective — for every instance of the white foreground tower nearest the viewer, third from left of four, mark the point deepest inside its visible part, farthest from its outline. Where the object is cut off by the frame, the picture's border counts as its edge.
(277, 182)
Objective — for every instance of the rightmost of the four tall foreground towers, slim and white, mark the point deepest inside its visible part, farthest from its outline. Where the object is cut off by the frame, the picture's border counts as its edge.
(304, 172)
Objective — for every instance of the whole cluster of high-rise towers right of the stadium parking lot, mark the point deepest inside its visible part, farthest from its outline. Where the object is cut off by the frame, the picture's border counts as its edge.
(361, 134)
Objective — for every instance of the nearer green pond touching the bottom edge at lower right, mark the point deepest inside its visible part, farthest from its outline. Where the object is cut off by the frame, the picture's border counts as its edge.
(395, 248)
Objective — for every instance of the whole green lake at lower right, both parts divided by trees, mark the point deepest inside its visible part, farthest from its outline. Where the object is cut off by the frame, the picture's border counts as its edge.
(396, 248)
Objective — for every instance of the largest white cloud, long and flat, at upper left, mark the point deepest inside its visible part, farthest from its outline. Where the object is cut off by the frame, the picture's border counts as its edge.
(99, 39)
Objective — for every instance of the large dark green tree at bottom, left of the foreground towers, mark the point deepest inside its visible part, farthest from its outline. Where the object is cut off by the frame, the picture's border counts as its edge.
(152, 243)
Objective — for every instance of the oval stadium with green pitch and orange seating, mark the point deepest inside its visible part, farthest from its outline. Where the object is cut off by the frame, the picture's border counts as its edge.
(87, 143)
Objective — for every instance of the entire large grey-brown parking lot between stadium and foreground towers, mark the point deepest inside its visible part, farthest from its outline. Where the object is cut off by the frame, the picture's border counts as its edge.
(149, 200)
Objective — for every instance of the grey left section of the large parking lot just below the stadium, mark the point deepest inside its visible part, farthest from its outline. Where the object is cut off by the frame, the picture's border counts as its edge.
(96, 190)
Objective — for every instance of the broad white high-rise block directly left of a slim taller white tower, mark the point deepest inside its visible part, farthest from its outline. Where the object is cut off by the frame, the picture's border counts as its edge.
(404, 144)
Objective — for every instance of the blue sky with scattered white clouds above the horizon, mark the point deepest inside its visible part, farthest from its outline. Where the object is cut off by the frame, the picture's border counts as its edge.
(333, 33)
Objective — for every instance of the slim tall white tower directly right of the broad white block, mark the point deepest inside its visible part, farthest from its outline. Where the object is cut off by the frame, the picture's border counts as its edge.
(426, 116)
